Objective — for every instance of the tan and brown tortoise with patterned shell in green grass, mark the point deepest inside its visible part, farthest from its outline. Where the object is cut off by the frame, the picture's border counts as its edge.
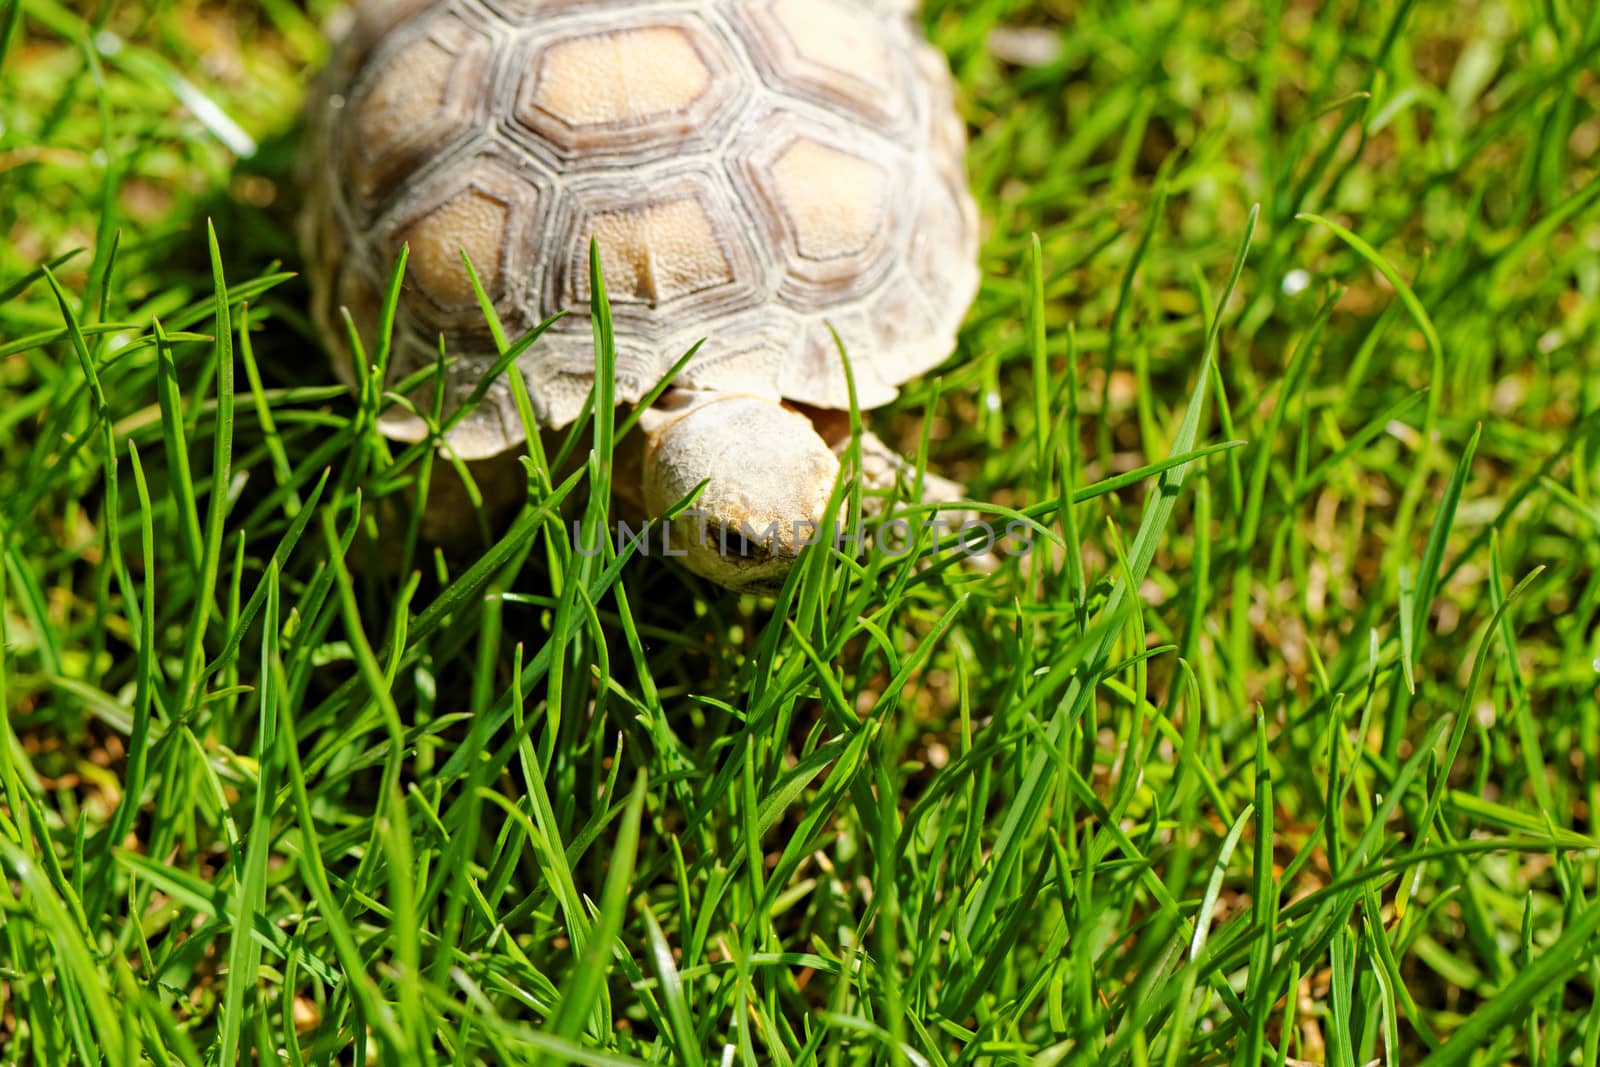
(772, 178)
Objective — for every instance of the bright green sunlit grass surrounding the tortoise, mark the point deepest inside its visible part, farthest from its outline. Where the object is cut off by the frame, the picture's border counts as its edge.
(1287, 751)
